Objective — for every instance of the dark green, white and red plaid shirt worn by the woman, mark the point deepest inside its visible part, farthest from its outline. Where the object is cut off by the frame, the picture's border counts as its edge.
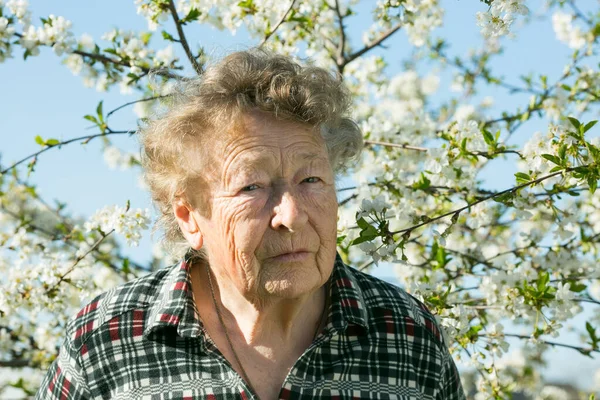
(144, 340)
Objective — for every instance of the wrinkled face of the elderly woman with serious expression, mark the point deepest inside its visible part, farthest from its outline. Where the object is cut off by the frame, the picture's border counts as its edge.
(272, 226)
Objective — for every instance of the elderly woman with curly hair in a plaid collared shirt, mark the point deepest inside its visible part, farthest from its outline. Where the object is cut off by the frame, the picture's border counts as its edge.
(242, 167)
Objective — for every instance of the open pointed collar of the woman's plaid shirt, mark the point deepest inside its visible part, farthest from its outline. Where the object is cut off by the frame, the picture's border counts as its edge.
(175, 307)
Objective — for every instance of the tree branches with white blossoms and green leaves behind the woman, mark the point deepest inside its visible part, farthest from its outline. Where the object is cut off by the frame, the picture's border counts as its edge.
(476, 257)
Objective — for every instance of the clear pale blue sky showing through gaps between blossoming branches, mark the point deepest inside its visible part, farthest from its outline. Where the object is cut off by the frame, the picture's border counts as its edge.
(42, 97)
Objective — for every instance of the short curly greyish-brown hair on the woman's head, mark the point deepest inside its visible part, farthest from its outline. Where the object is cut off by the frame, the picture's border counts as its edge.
(202, 108)
